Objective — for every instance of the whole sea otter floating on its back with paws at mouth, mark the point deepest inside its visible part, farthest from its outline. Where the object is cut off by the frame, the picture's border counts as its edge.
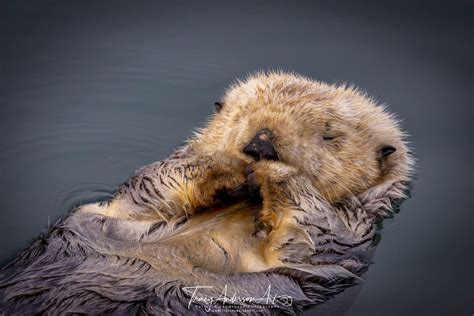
(279, 195)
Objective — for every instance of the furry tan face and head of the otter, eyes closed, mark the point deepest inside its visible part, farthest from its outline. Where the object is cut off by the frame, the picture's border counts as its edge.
(337, 136)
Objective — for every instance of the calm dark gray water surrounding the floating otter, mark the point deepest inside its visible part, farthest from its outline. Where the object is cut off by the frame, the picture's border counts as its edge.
(92, 90)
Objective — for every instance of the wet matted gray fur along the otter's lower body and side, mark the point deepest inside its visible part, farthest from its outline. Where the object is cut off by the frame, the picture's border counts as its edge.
(76, 267)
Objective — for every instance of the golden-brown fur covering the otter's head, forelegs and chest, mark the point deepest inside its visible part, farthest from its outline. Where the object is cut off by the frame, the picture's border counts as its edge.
(329, 141)
